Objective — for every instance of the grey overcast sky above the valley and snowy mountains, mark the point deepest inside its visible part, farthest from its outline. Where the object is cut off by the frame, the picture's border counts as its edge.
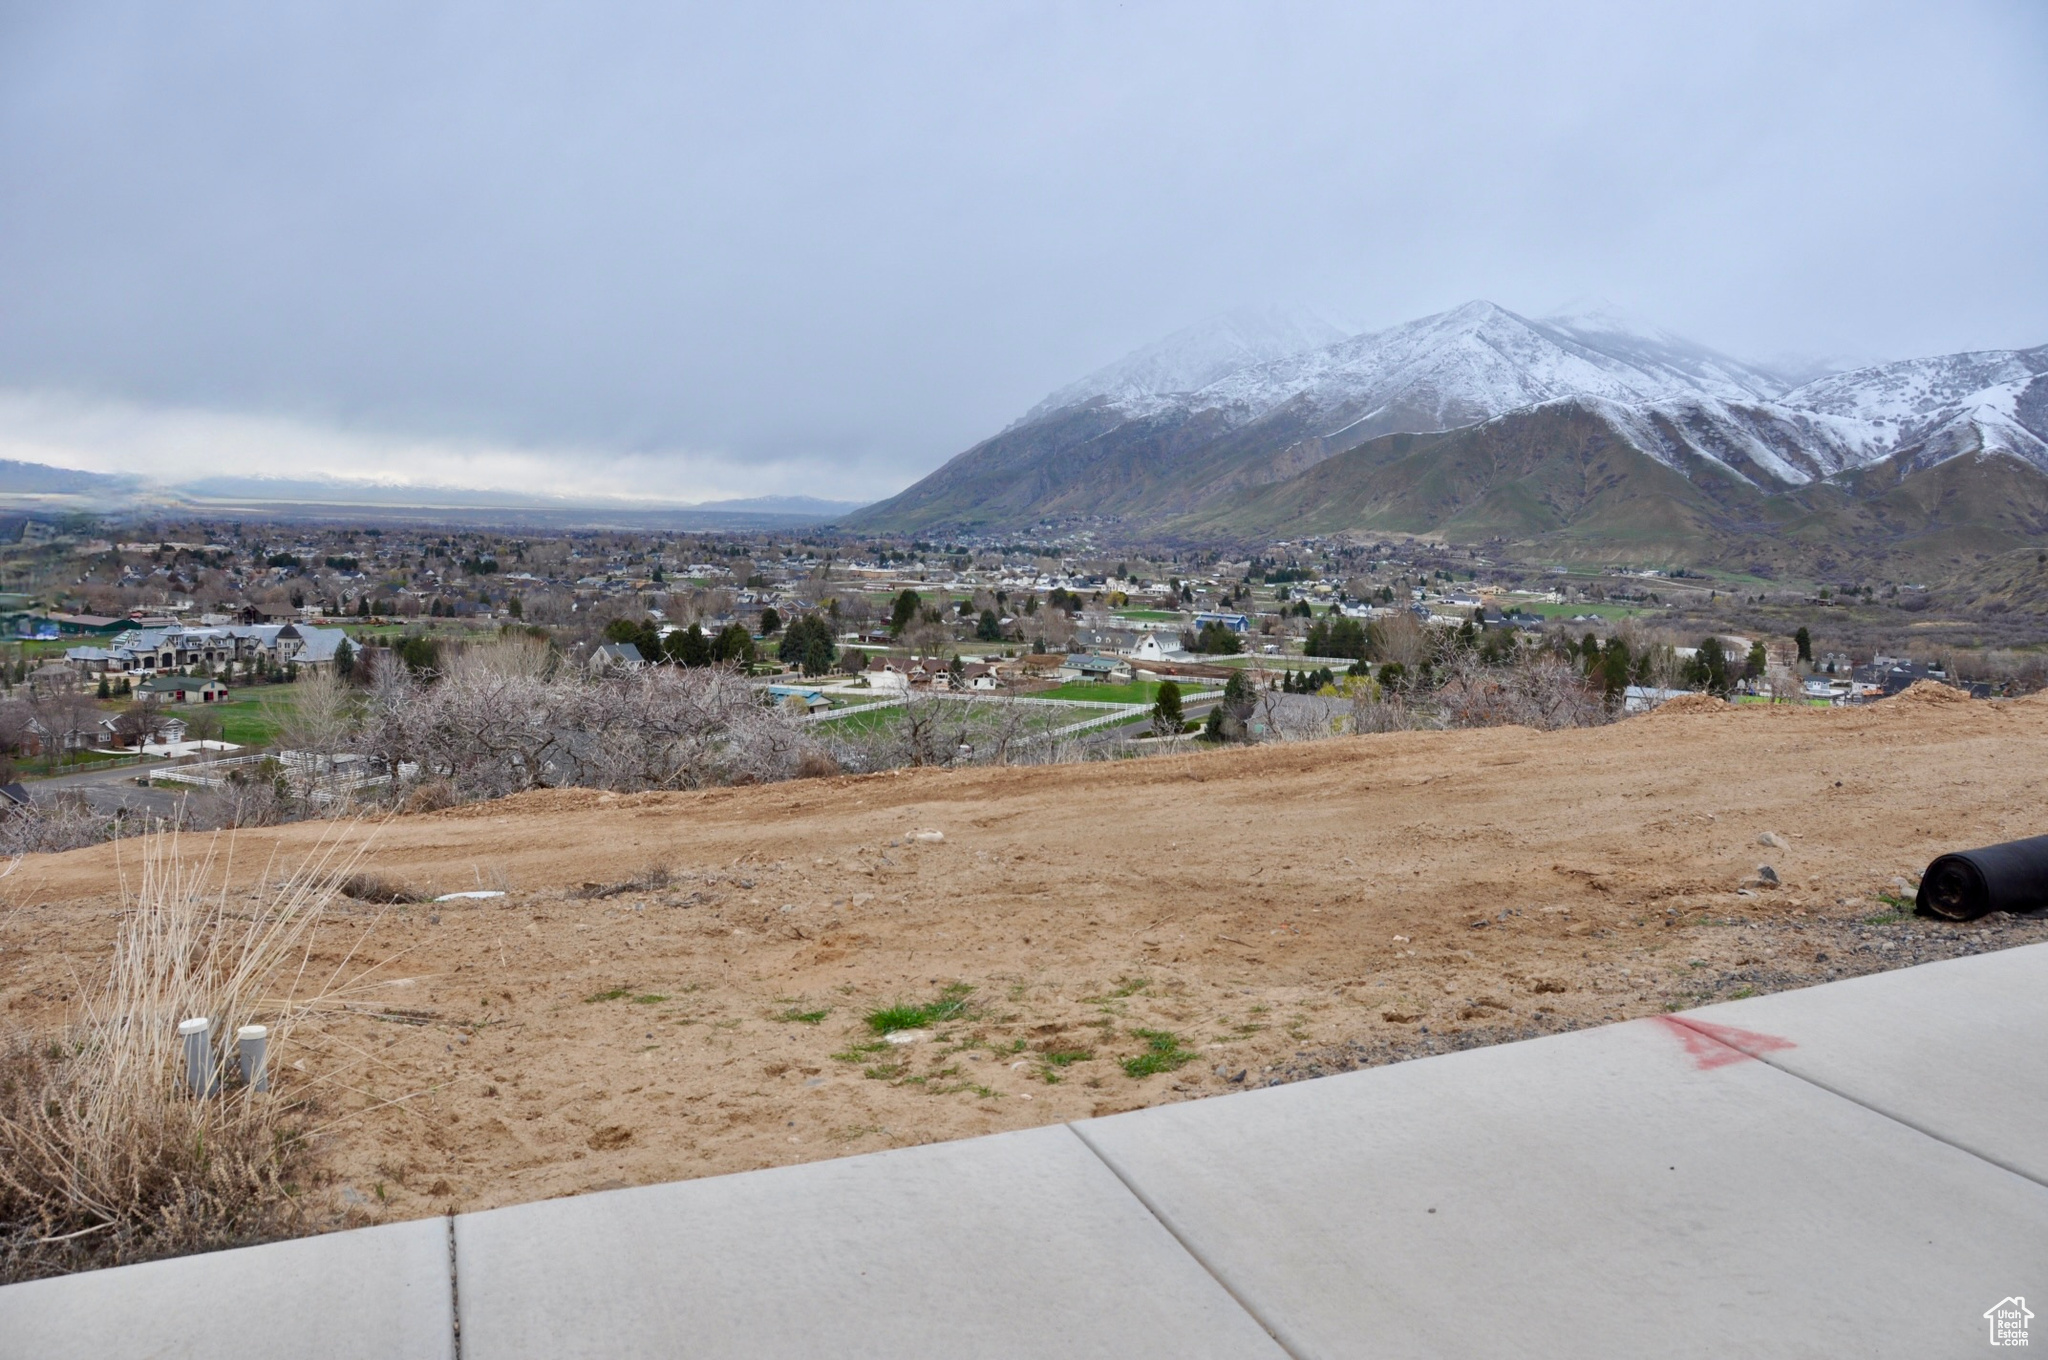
(783, 249)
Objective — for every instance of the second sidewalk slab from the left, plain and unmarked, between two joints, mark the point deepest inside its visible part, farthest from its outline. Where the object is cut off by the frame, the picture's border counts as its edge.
(1019, 1244)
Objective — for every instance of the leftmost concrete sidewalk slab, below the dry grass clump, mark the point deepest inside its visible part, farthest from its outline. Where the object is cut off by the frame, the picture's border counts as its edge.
(372, 1293)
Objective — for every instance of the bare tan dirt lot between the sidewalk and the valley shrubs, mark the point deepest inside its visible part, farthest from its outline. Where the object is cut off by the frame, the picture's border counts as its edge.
(1236, 917)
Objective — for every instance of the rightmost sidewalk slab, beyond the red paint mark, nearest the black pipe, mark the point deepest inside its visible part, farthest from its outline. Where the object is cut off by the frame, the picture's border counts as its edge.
(1955, 1048)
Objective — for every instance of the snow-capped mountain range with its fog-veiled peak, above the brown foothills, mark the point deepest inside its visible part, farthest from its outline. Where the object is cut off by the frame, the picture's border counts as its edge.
(1205, 419)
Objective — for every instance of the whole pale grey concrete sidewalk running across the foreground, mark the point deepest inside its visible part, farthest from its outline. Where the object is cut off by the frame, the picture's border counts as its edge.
(1859, 1168)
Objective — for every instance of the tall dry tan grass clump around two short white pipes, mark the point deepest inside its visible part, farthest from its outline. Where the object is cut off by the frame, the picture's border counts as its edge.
(103, 1154)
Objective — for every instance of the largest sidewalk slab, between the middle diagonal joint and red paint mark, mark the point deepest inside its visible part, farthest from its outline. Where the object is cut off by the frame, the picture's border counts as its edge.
(1633, 1191)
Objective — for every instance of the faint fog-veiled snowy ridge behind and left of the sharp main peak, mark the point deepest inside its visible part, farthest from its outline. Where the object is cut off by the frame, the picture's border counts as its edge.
(1195, 357)
